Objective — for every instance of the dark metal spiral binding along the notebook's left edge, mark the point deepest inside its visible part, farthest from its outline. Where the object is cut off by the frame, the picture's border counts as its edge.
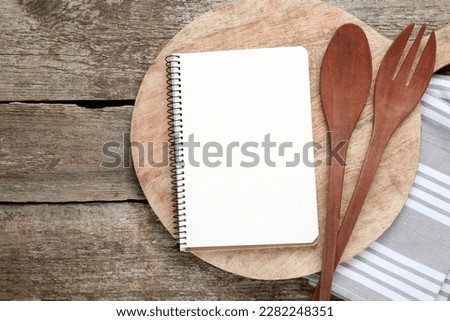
(175, 123)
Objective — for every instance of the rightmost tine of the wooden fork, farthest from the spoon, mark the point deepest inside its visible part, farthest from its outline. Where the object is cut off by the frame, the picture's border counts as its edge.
(425, 66)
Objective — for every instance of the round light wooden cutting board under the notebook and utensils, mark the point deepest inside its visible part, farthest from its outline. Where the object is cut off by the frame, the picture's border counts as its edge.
(253, 24)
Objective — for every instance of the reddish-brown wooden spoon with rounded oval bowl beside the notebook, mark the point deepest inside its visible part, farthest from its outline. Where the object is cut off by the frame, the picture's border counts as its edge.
(345, 80)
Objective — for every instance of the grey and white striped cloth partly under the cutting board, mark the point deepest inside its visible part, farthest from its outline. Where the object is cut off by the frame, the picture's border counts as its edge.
(411, 260)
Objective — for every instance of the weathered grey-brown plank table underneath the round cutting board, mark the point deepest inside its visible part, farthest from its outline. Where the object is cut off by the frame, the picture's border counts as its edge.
(71, 229)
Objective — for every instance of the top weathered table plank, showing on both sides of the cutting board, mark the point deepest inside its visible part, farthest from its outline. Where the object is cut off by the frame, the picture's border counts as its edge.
(84, 50)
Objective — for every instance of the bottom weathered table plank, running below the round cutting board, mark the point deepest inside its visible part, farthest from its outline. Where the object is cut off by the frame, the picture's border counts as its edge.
(112, 251)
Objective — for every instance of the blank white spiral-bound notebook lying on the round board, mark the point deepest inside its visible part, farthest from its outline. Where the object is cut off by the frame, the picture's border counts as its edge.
(241, 148)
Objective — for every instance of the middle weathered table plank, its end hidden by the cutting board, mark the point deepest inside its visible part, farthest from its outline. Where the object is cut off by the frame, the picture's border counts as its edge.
(53, 153)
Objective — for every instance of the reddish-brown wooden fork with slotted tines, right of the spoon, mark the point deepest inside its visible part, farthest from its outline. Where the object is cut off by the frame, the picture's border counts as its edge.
(396, 95)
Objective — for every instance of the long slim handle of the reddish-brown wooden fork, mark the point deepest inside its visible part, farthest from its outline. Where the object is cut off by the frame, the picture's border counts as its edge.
(374, 153)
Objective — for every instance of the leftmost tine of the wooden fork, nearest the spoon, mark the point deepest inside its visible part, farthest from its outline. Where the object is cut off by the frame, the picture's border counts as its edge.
(394, 53)
